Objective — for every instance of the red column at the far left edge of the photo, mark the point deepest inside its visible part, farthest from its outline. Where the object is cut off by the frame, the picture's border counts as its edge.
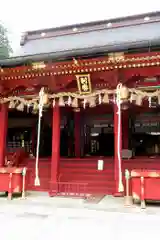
(3, 133)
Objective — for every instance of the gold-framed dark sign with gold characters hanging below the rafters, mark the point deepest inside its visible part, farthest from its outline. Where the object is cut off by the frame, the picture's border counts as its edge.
(84, 83)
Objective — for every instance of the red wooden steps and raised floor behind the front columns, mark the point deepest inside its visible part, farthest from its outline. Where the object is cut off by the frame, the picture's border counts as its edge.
(85, 171)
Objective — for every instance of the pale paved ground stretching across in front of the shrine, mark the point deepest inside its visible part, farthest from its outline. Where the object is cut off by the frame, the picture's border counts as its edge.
(59, 218)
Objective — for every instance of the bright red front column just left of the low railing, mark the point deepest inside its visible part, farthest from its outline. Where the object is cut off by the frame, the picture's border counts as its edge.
(55, 158)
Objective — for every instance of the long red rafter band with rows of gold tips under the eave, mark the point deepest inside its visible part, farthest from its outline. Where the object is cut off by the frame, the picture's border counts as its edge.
(83, 65)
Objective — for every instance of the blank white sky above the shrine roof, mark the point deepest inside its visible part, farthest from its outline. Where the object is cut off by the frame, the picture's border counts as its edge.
(20, 16)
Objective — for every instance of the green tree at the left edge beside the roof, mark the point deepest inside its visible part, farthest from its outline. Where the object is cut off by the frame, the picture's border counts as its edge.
(5, 47)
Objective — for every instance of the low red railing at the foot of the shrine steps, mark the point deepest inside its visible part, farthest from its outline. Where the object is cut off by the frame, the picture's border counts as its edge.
(73, 189)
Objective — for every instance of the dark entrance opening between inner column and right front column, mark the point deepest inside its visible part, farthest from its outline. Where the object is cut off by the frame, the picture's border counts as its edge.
(98, 129)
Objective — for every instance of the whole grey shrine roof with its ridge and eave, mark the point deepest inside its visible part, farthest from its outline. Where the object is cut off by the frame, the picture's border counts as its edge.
(110, 35)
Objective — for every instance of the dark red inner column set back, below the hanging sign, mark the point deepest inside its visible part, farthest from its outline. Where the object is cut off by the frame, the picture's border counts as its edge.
(77, 132)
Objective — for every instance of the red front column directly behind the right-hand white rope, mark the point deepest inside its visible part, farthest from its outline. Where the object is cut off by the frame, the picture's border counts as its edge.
(116, 162)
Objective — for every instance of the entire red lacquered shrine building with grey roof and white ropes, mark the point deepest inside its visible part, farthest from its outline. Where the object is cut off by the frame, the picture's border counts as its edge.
(100, 83)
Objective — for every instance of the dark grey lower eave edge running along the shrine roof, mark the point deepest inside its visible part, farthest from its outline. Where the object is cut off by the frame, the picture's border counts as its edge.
(57, 56)
